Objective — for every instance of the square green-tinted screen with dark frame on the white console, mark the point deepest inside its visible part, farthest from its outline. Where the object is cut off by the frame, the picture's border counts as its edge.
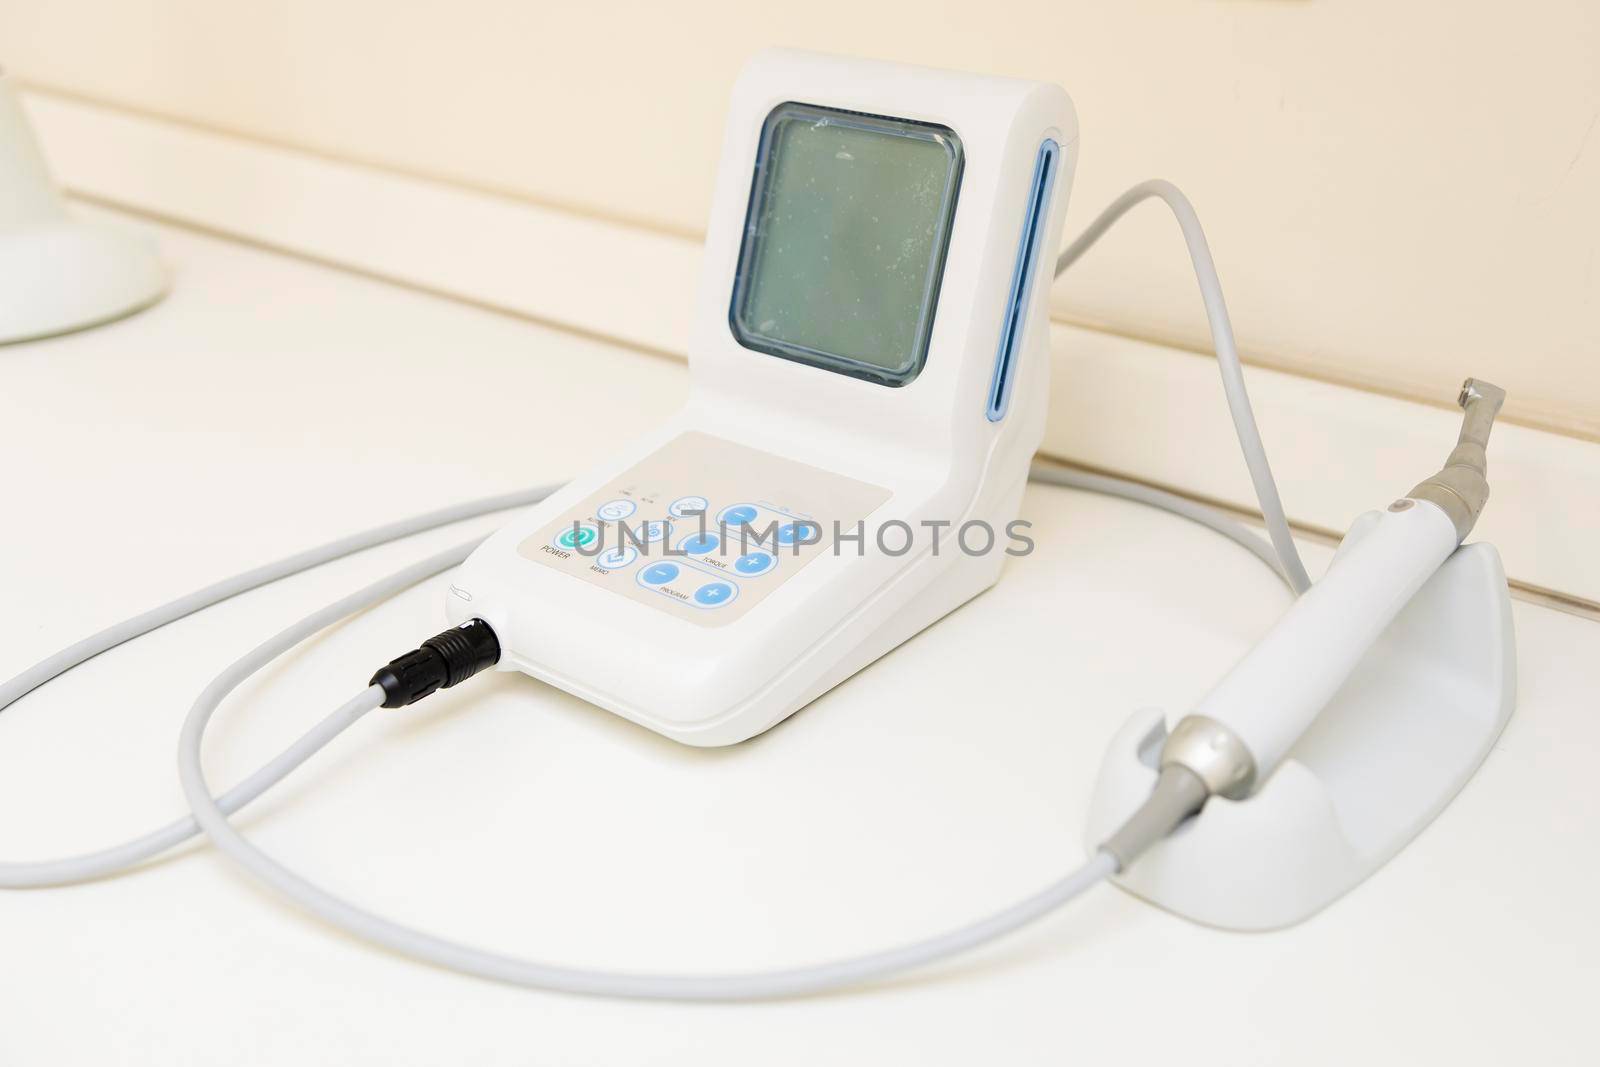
(846, 239)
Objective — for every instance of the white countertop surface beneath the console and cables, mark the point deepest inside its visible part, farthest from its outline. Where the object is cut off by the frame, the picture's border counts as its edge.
(271, 404)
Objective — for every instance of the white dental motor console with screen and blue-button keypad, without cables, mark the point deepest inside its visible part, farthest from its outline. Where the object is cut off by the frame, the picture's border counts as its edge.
(870, 350)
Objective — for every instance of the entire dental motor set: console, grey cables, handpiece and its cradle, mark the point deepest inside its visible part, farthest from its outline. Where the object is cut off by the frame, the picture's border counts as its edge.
(870, 377)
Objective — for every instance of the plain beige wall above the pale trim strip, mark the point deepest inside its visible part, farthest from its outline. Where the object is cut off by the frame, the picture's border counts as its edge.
(1399, 193)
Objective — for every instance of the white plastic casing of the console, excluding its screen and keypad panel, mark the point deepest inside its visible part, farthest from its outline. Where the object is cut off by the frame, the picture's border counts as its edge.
(930, 442)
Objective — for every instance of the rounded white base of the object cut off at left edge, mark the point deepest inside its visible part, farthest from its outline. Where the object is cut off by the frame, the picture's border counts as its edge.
(62, 276)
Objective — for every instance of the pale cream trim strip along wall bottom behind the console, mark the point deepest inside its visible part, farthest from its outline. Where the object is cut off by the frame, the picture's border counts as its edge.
(1119, 406)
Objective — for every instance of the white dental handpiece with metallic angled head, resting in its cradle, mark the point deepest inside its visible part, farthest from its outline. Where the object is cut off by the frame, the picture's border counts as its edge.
(1239, 733)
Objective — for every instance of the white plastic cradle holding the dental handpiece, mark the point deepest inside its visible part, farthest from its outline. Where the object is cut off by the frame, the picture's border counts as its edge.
(1385, 757)
